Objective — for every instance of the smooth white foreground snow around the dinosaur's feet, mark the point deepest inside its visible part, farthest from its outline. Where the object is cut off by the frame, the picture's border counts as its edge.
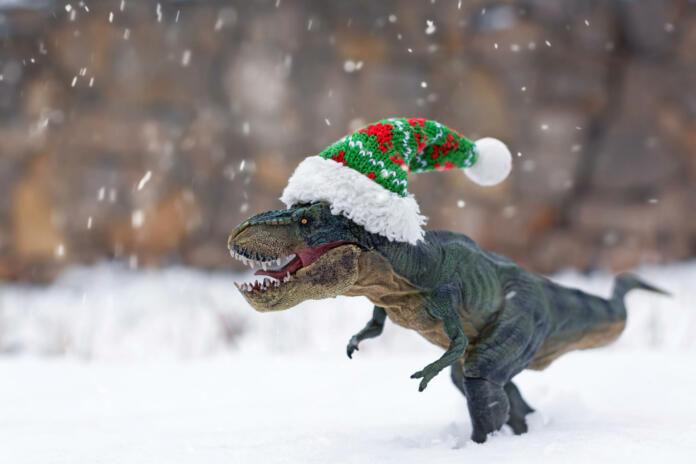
(591, 407)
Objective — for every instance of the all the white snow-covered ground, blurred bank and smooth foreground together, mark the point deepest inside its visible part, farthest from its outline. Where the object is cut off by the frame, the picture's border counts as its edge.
(109, 365)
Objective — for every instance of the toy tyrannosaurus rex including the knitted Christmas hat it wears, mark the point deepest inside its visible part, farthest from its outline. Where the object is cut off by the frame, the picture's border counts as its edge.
(351, 228)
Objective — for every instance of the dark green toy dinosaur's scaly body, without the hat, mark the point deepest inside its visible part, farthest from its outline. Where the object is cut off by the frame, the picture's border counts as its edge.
(492, 318)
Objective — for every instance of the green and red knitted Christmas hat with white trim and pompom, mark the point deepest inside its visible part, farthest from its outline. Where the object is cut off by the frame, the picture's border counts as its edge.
(363, 176)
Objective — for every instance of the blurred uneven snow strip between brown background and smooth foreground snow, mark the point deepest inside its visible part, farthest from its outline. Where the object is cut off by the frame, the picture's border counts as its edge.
(111, 312)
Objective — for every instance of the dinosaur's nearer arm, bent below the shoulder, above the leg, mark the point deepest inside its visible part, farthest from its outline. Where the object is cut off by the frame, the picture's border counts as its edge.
(442, 304)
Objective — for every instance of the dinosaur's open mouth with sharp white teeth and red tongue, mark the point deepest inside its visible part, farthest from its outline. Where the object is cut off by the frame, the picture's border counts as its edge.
(278, 271)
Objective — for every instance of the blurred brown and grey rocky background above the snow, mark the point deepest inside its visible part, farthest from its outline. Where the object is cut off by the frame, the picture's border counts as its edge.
(145, 131)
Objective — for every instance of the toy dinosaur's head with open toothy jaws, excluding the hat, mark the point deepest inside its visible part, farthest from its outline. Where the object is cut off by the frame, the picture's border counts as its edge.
(302, 253)
